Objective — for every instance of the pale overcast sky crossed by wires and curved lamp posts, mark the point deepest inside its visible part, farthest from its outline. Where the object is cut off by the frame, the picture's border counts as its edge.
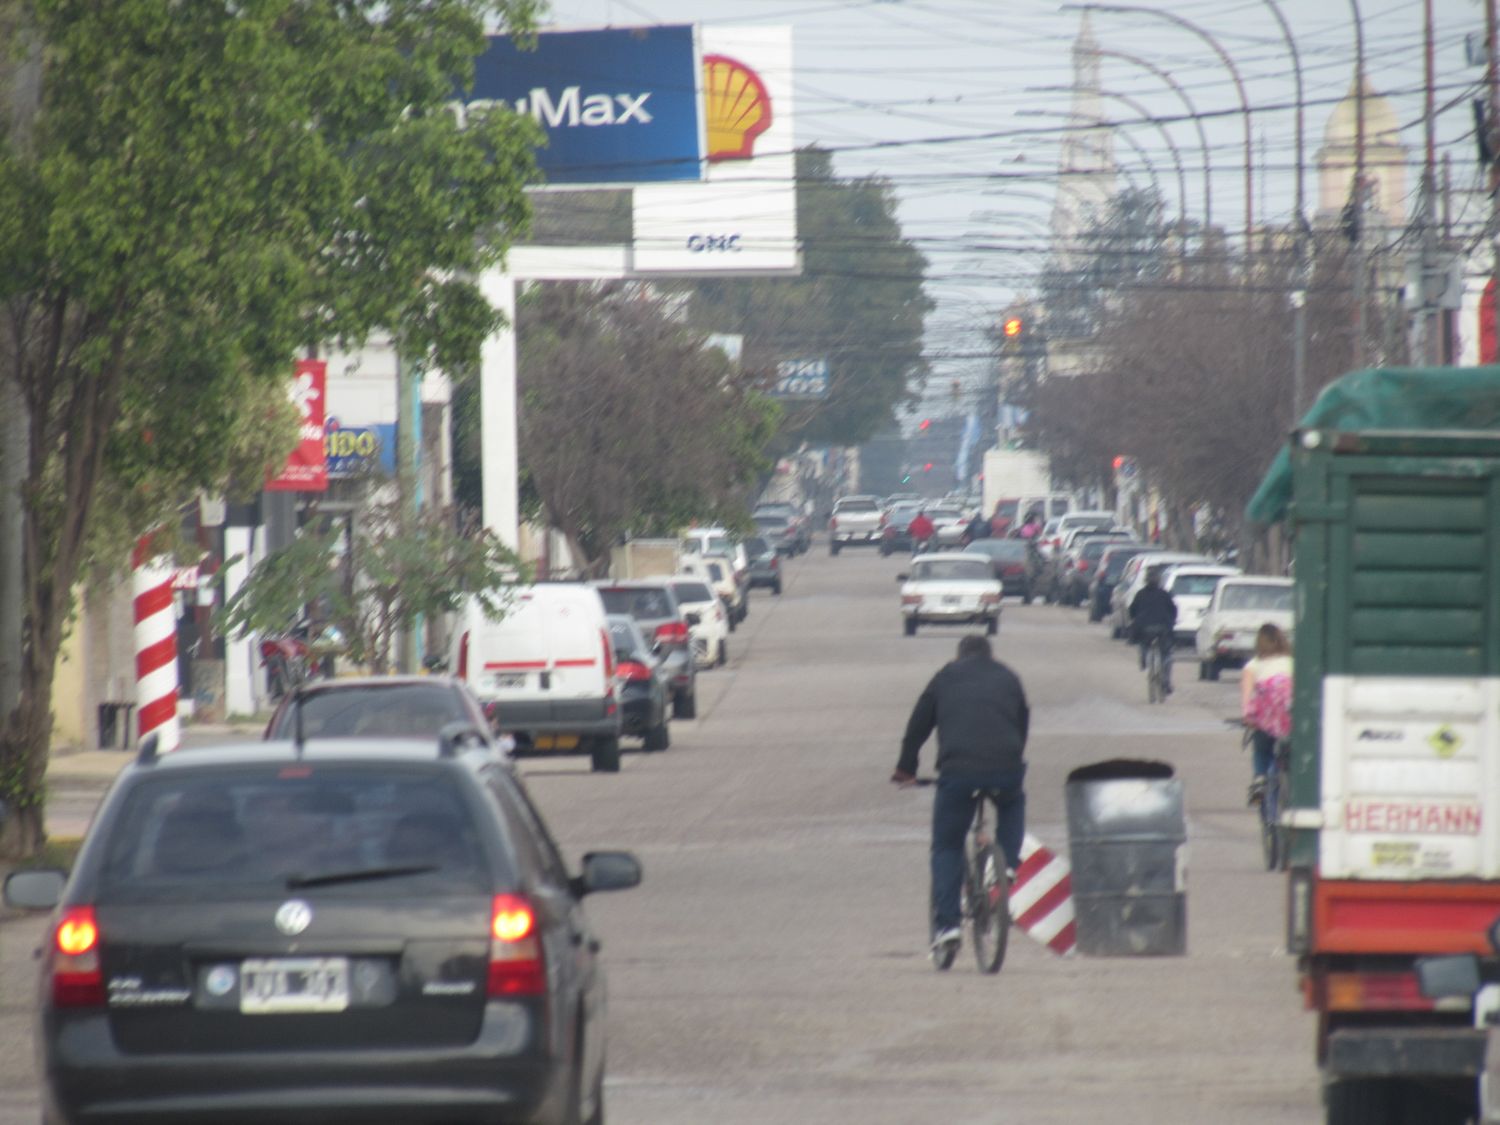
(889, 85)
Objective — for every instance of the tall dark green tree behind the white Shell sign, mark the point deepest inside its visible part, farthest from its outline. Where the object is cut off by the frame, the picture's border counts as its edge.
(859, 302)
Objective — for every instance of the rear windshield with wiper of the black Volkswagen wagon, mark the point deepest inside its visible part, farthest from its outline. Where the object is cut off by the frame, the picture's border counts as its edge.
(220, 835)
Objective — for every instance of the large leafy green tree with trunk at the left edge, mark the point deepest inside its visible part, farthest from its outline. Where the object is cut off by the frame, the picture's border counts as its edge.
(199, 191)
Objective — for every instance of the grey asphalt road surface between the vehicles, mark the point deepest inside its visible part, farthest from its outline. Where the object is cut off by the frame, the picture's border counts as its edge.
(773, 965)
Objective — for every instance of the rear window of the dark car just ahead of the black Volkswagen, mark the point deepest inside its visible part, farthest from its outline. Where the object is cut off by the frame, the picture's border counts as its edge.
(374, 712)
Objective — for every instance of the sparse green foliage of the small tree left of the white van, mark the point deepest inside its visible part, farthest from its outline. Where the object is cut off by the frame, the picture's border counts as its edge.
(376, 580)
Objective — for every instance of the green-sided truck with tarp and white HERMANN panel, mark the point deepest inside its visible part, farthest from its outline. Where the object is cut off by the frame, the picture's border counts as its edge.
(1391, 493)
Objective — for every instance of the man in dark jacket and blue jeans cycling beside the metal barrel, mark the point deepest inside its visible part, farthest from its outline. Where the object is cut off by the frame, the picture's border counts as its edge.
(979, 707)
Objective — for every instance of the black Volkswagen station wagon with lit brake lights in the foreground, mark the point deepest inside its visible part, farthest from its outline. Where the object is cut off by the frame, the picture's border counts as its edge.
(334, 932)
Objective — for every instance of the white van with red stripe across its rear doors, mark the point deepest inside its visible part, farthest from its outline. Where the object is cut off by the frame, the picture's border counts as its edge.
(548, 668)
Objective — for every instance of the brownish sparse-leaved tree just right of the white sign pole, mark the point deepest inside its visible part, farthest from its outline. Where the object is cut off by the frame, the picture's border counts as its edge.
(629, 425)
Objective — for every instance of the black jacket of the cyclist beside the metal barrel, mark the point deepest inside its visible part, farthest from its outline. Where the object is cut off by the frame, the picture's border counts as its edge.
(982, 718)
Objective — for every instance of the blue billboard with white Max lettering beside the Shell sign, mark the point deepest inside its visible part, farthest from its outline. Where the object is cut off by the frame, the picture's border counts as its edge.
(617, 106)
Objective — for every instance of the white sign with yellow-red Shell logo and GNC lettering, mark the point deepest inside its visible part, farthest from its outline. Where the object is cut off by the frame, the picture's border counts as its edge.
(743, 217)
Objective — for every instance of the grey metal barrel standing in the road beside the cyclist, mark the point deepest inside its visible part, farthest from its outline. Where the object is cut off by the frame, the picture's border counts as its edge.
(1127, 842)
